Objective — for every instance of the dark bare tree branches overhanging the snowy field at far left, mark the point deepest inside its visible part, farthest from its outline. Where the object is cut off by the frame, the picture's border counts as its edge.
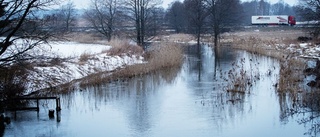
(14, 16)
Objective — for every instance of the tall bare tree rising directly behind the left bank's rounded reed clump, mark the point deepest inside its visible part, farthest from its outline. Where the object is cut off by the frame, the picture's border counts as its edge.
(139, 13)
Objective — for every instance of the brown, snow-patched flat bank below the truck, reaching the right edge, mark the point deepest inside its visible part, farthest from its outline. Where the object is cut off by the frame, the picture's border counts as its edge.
(271, 43)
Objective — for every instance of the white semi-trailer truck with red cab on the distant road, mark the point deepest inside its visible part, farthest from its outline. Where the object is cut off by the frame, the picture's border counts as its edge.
(273, 20)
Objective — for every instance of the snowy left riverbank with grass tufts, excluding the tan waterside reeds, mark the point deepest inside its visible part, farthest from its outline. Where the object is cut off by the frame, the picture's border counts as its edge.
(68, 62)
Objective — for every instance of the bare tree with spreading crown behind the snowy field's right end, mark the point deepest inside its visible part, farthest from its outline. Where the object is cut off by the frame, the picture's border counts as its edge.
(103, 16)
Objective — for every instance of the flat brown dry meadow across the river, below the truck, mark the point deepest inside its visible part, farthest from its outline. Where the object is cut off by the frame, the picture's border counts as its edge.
(269, 43)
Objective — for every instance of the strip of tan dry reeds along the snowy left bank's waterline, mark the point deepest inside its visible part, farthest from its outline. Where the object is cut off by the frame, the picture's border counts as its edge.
(161, 57)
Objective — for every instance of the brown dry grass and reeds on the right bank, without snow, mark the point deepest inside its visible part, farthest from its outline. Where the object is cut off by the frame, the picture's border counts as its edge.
(274, 44)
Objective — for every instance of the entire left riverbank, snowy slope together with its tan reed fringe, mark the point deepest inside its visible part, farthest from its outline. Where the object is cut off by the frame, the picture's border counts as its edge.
(75, 64)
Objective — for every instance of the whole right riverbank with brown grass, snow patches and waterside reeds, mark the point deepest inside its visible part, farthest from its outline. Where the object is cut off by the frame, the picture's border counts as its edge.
(294, 48)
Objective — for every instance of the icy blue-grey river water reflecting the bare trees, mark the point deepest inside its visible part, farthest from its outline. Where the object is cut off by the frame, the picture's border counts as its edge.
(186, 102)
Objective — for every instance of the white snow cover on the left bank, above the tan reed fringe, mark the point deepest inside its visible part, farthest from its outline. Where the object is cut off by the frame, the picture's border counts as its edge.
(74, 66)
